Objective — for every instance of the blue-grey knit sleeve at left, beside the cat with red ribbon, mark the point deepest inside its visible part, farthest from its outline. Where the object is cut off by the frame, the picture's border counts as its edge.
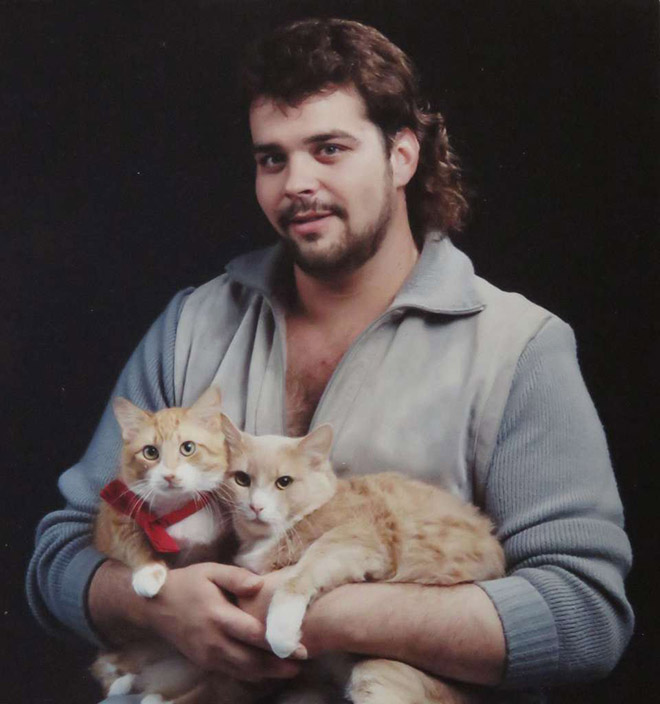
(64, 559)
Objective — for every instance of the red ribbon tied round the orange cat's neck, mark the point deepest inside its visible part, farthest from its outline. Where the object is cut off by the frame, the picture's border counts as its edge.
(122, 499)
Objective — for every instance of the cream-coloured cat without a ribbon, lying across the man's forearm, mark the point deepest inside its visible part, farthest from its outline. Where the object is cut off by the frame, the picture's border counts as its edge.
(289, 510)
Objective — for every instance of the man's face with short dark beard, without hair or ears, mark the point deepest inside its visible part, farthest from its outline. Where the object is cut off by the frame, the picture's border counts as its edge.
(323, 179)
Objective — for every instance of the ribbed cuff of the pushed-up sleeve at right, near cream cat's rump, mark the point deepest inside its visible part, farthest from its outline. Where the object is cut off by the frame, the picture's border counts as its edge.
(532, 642)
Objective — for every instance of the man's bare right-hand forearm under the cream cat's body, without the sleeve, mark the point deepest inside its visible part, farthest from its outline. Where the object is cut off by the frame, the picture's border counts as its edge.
(454, 632)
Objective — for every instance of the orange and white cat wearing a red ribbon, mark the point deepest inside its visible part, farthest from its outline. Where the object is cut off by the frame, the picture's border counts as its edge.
(162, 510)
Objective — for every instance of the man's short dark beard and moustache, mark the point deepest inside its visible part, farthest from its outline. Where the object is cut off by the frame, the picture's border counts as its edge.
(350, 252)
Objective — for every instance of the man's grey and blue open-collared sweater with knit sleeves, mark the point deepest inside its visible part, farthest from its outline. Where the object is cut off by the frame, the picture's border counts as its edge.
(457, 383)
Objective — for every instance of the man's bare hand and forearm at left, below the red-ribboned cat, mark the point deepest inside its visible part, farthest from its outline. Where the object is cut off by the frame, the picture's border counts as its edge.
(192, 612)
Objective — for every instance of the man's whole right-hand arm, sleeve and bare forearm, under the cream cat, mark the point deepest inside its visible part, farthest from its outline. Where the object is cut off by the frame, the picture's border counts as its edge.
(561, 614)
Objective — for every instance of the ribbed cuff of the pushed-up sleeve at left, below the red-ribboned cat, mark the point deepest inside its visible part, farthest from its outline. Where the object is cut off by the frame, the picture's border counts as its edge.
(76, 581)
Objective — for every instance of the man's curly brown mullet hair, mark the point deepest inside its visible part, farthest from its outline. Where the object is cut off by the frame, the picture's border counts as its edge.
(308, 56)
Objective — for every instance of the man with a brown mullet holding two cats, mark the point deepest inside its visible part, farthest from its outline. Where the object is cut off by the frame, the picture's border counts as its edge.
(367, 317)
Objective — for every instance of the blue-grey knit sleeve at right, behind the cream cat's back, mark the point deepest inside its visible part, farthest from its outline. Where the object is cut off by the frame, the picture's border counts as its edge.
(552, 494)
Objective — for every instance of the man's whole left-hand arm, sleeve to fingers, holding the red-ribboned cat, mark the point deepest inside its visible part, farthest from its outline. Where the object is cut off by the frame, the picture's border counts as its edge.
(72, 587)
